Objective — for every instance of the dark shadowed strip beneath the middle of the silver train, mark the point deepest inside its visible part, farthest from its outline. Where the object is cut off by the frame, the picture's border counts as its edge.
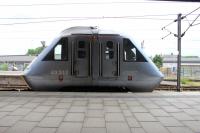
(94, 89)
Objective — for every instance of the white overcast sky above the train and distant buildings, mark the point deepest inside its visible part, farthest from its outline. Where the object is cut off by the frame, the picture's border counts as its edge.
(23, 24)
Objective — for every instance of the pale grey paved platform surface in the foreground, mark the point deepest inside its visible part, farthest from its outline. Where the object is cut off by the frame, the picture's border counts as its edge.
(98, 112)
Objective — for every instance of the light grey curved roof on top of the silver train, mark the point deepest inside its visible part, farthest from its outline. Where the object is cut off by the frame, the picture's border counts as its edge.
(87, 30)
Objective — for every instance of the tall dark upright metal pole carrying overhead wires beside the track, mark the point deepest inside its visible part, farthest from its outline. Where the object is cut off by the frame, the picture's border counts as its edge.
(179, 54)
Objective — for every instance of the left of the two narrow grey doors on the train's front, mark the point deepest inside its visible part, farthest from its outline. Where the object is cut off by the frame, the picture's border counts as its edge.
(82, 56)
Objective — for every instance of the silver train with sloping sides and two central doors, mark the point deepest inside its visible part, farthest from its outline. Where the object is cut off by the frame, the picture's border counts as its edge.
(88, 56)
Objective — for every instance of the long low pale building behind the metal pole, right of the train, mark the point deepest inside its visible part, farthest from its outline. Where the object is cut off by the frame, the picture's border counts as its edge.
(190, 66)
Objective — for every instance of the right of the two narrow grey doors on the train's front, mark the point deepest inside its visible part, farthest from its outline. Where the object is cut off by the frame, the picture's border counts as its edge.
(110, 56)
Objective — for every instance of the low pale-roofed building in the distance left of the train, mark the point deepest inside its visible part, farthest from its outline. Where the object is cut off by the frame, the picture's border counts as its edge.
(15, 62)
